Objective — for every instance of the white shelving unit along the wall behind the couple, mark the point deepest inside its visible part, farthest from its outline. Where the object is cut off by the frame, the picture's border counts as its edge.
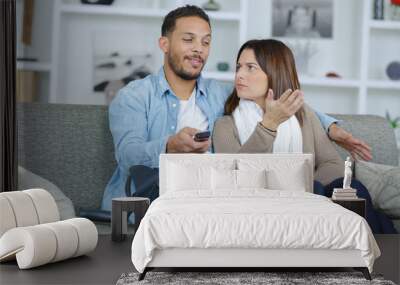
(363, 88)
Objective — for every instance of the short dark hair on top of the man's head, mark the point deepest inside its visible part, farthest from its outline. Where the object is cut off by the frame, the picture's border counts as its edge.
(169, 22)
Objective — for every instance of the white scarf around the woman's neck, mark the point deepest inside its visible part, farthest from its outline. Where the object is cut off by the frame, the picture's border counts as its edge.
(248, 114)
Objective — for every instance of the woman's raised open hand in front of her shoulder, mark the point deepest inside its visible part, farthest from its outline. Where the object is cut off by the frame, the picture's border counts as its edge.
(278, 111)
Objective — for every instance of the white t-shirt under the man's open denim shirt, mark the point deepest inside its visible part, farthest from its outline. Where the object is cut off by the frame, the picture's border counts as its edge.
(190, 115)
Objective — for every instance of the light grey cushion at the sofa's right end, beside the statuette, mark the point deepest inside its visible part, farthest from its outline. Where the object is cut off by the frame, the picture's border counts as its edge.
(382, 182)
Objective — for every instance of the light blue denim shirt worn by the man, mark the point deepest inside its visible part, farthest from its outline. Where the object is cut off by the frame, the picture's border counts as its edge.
(144, 114)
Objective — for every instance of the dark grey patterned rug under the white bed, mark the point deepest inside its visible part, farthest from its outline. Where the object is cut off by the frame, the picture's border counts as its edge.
(243, 278)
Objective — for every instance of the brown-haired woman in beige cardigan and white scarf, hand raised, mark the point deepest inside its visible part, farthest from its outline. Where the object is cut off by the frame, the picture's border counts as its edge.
(260, 120)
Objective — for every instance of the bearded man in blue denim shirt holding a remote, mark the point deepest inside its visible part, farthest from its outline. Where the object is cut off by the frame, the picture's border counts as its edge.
(162, 112)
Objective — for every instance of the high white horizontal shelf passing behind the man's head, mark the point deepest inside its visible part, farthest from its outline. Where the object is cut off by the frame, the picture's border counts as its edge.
(138, 12)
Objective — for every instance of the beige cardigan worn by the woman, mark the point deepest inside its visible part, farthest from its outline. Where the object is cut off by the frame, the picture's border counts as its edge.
(328, 163)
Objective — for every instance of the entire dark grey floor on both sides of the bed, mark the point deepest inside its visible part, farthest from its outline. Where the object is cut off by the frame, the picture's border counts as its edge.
(110, 260)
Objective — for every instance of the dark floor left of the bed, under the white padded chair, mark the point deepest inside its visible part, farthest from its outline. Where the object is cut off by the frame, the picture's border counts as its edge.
(102, 266)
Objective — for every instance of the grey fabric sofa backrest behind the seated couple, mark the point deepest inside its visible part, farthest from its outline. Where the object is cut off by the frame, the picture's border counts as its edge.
(71, 146)
